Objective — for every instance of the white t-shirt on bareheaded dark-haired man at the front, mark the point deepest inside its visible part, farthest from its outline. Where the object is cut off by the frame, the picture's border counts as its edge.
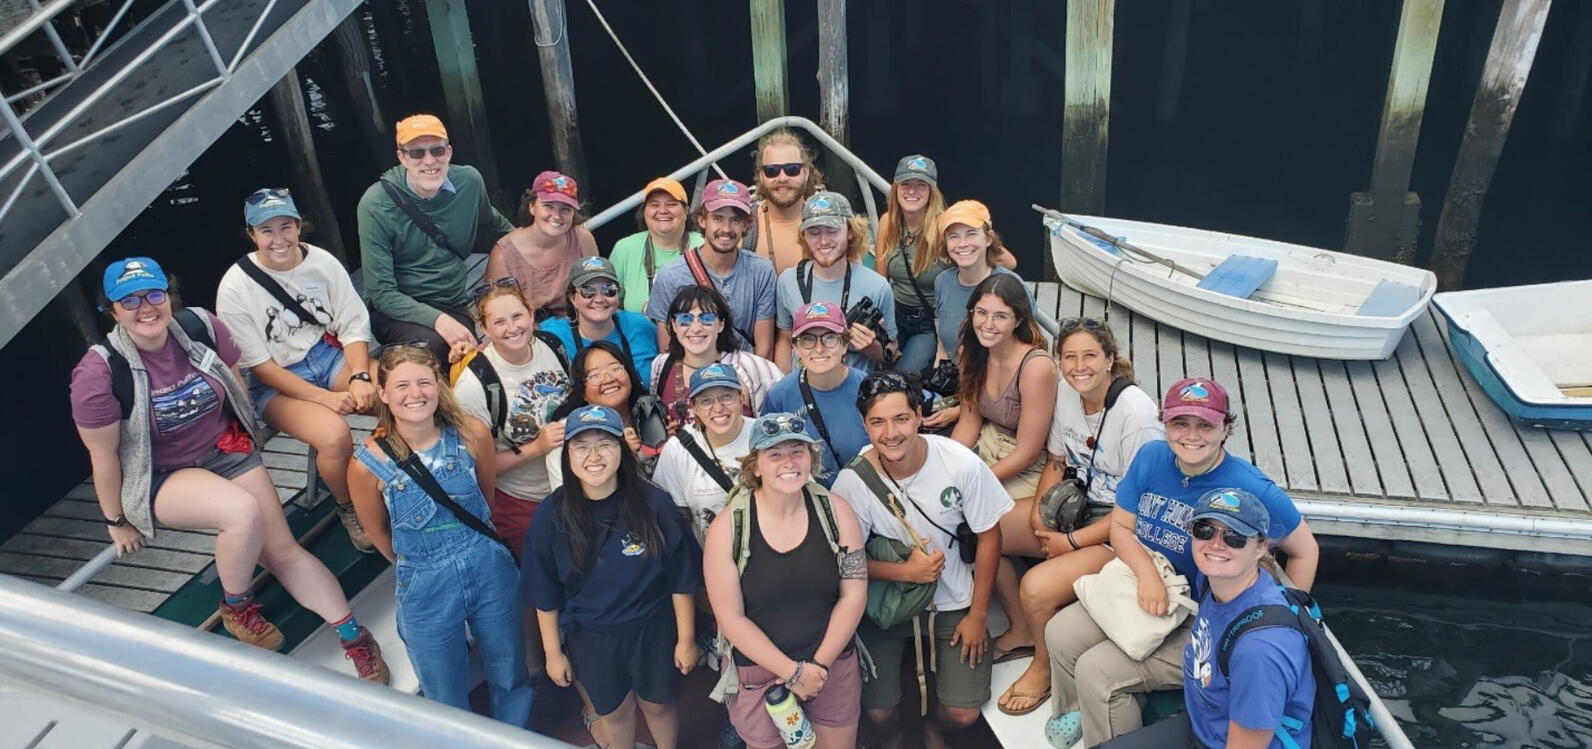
(953, 487)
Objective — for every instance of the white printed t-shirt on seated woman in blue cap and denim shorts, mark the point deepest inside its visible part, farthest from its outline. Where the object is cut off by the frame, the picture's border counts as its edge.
(265, 332)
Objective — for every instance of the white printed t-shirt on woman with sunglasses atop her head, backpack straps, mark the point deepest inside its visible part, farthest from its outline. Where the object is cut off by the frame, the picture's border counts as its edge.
(534, 390)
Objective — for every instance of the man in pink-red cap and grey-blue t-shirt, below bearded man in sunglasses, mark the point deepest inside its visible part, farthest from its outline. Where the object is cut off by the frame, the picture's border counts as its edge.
(743, 278)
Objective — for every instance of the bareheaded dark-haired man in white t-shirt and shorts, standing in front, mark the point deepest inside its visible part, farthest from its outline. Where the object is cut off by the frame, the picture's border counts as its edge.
(935, 485)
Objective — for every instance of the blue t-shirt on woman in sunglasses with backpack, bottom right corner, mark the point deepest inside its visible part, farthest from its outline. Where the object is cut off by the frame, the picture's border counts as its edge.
(1270, 672)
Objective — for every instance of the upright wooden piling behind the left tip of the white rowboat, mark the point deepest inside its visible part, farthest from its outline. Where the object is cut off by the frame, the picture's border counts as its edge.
(1087, 116)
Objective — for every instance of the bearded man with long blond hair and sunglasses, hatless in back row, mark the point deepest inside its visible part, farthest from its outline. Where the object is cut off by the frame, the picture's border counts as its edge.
(787, 178)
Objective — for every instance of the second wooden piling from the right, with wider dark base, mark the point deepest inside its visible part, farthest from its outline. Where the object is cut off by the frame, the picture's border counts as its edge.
(1378, 225)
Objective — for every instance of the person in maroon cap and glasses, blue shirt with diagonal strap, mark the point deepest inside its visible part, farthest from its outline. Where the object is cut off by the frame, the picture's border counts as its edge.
(824, 390)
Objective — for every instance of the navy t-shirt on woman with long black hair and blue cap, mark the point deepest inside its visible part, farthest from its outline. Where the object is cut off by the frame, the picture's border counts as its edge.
(626, 584)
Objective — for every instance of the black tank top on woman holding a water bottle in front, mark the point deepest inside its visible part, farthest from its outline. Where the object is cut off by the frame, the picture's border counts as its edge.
(790, 595)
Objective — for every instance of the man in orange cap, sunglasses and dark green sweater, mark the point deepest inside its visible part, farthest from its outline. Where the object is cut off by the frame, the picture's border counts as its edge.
(413, 284)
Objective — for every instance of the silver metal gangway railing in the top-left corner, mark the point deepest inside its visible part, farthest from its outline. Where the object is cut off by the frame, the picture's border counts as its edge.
(36, 151)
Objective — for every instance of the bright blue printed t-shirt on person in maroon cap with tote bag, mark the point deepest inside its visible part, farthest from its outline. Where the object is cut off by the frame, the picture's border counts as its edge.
(1153, 490)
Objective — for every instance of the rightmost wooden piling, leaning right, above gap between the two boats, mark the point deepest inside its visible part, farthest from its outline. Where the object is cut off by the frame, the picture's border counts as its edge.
(1504, 79)
